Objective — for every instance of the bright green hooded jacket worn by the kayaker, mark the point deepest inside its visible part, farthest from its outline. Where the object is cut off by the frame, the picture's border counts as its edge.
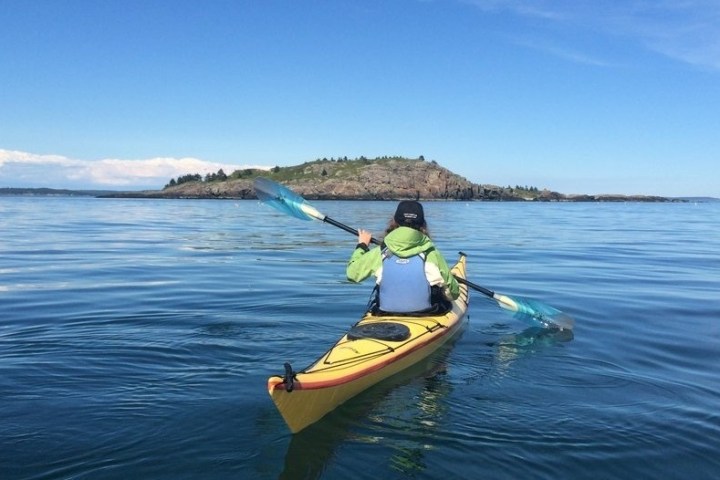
(404, 242)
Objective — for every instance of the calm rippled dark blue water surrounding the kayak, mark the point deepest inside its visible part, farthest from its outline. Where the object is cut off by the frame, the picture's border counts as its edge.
(136, 338)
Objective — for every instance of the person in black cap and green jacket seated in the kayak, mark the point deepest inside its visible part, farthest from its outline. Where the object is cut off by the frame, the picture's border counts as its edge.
(412, 275)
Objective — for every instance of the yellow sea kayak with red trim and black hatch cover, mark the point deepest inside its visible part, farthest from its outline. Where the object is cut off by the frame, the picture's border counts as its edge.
(375, 348)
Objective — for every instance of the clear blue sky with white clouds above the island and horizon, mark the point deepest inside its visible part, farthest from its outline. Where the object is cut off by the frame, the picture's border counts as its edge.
(619, 96)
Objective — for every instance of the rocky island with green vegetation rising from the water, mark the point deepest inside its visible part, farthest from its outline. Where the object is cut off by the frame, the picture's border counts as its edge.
(385, 178)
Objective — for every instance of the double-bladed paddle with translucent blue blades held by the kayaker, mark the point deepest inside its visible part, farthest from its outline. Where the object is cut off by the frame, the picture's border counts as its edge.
(531, 311)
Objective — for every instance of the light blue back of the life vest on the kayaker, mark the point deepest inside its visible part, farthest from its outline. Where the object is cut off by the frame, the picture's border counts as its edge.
(404, 288)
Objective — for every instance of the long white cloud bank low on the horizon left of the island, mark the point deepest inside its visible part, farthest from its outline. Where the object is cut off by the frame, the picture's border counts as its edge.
(23, 169)
